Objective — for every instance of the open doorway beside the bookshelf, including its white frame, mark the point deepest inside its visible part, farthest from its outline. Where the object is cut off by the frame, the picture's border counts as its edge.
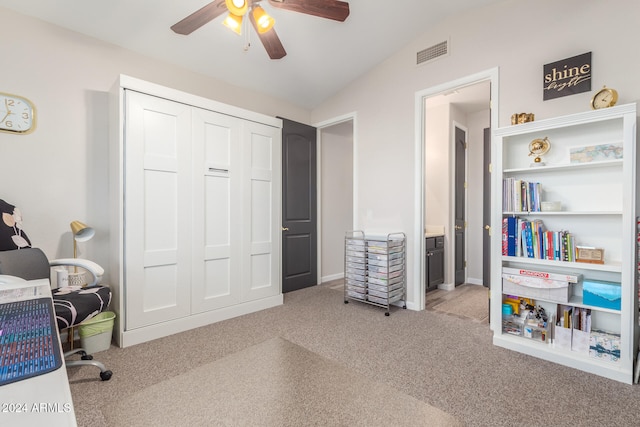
(463, 104)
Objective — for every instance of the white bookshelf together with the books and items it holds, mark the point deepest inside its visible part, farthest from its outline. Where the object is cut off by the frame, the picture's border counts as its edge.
(599, 207)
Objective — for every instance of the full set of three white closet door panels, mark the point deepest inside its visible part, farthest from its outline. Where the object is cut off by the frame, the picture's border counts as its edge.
(201, 203)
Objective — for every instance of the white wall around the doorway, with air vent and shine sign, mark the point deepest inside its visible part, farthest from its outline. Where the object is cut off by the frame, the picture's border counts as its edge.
(519, 37)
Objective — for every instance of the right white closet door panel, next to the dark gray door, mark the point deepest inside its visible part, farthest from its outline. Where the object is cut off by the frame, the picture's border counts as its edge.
(262, 201)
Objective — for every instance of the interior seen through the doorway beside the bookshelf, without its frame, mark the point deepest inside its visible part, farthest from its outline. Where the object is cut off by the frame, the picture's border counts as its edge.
(454, 123)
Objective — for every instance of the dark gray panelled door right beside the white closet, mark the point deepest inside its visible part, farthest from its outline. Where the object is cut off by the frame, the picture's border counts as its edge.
(299, 206)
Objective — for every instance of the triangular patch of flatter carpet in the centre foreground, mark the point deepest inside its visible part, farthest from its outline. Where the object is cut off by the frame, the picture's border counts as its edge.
(274, 383)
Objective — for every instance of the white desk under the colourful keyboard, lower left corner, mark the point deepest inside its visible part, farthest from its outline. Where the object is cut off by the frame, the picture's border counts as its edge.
(44, 400)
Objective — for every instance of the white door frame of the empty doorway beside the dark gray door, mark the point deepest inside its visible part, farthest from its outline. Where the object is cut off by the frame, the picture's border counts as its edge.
(320, 126)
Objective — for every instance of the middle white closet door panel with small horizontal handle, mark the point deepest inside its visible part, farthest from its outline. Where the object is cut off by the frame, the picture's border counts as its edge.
(217, 196)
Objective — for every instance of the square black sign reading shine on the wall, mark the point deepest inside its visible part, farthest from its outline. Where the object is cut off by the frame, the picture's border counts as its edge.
(567, 77)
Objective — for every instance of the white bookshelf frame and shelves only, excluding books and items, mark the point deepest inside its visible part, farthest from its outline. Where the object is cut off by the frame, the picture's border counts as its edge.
(598, 207)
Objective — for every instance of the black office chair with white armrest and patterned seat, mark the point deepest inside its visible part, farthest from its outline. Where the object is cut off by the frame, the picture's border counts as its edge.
(72, 305)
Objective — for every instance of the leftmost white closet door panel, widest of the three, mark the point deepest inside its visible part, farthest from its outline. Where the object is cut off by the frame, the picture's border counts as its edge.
(157, 205)
